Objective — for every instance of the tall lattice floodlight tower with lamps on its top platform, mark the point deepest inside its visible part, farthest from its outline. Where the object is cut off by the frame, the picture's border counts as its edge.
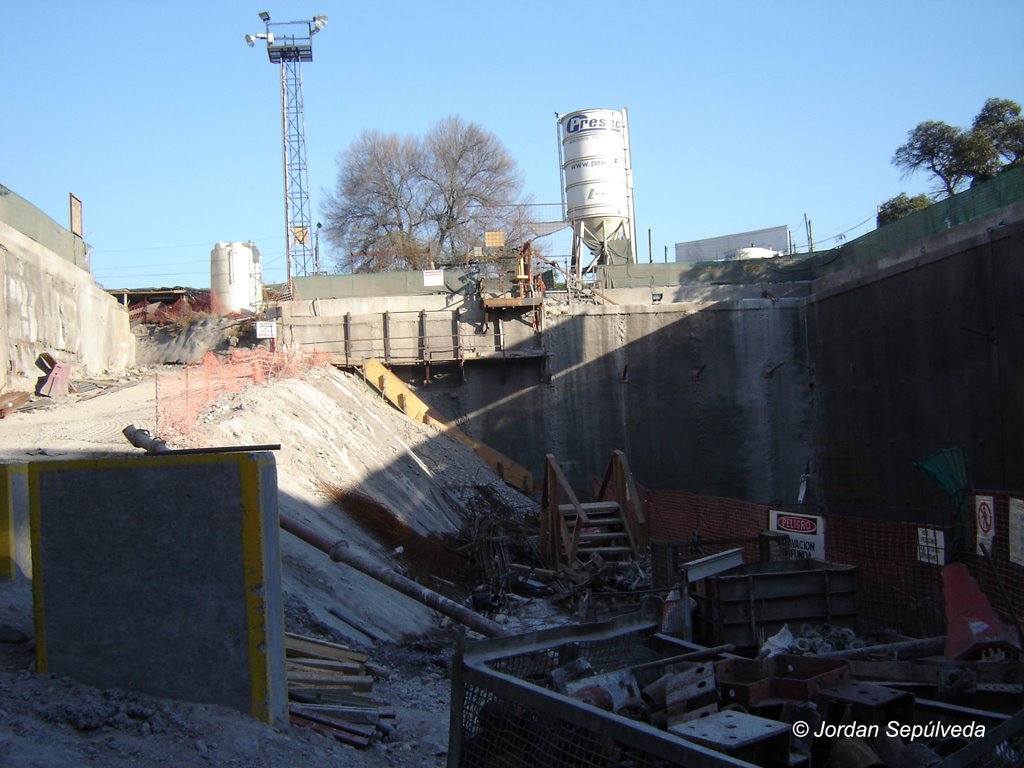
(290, 44)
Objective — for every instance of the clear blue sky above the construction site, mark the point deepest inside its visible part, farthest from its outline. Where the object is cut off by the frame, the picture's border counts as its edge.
(743, 115)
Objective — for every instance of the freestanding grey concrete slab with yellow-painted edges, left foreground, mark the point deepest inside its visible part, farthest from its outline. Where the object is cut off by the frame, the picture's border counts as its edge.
(162, 575)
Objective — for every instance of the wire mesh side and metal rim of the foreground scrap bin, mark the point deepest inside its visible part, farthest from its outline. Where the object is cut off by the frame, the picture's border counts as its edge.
(505, 715)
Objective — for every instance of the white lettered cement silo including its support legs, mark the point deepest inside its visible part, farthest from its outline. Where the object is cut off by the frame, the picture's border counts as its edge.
(598, 185)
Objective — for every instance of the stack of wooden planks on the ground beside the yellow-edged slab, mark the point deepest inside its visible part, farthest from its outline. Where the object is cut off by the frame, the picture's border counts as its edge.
(330, 690)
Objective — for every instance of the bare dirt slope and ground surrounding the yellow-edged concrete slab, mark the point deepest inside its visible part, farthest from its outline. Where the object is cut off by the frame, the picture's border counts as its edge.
(332, 430)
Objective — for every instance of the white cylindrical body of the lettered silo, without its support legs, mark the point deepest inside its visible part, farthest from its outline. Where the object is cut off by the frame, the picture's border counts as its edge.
(595, 166)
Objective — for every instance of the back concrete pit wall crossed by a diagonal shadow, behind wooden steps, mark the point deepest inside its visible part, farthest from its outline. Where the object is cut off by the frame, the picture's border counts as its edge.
(696, 400)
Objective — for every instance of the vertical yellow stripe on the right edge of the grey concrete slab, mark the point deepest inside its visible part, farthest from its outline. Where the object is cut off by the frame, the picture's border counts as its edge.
(255, 585)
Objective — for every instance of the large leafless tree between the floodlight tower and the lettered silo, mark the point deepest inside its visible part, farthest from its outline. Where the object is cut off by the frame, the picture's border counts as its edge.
(410, 203)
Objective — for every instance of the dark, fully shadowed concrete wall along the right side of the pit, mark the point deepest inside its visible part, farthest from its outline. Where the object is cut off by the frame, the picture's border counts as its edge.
(916, 353)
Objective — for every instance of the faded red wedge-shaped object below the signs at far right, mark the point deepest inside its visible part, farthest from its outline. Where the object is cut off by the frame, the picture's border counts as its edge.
(971, 624)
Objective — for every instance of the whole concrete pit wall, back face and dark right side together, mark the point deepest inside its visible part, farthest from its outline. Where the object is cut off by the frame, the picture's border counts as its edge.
(876, 367)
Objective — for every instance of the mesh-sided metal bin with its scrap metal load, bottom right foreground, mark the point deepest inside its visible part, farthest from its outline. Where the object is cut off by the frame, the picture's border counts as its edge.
(779, 712)
